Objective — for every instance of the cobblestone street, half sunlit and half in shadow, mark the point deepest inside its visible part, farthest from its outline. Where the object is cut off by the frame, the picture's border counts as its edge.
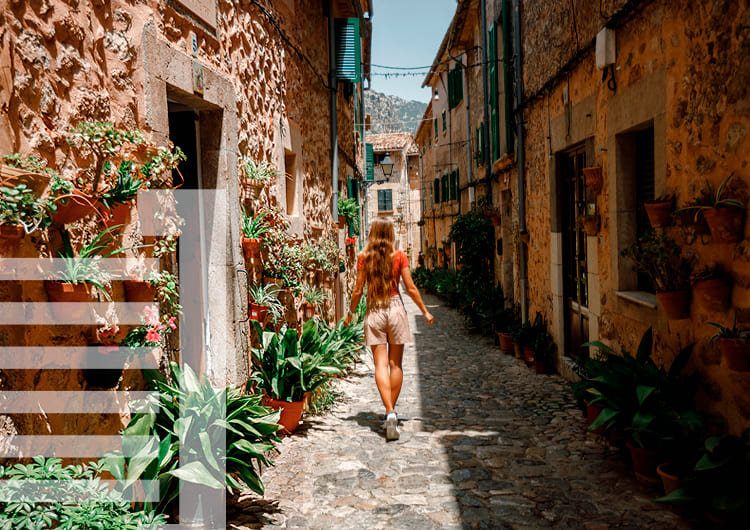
(485, 443)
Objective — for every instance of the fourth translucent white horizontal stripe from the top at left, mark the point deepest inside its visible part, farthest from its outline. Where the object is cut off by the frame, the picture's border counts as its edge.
(68, 401)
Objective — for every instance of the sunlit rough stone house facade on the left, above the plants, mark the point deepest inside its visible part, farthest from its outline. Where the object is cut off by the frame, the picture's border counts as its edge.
(226, 81)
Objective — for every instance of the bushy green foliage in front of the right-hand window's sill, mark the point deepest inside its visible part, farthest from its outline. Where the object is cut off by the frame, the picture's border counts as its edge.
(659, 257)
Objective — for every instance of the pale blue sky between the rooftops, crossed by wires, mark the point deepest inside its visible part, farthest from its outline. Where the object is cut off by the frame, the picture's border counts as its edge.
(407, 33)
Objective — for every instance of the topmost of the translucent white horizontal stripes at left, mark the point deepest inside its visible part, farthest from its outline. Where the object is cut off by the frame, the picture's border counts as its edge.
(24, 269)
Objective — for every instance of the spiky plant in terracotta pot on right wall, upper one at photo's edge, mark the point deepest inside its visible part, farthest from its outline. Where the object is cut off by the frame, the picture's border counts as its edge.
(725, 216)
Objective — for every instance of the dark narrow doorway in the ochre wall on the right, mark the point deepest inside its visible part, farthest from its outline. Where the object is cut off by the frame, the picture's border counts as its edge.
(575, 280)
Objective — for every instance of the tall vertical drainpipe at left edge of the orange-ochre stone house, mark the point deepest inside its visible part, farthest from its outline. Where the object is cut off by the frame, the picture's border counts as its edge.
(521, 156)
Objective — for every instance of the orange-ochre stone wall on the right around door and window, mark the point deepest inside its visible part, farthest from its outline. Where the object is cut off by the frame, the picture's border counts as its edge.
(679, 67)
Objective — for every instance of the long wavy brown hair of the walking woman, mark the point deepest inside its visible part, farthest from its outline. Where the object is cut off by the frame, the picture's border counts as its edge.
(379, 262)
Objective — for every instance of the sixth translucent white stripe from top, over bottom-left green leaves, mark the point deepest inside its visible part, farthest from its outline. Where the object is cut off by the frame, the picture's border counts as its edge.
(76, 491)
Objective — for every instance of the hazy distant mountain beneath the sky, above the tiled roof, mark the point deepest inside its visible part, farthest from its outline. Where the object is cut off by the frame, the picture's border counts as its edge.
(392, 114)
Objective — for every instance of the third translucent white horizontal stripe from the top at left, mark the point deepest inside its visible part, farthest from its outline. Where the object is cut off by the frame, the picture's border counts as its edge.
(75, 357)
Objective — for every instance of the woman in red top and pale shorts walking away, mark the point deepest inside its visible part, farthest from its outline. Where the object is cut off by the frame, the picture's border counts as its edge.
(386, 325)
